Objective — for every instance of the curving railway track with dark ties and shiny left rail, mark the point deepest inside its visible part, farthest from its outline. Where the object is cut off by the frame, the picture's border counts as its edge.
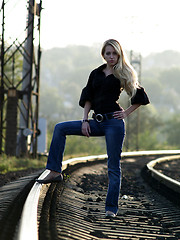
(74, 209)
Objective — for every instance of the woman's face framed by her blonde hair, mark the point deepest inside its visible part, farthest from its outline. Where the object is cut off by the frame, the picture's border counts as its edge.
(110, 55)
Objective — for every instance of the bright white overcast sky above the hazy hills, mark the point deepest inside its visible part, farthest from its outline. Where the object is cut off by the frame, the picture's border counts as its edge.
(144, 26)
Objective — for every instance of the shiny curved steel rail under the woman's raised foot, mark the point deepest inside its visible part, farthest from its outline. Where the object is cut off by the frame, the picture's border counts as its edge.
(28, 228)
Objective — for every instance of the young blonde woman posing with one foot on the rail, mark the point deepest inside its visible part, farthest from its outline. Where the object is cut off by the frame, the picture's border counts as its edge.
(101, 93)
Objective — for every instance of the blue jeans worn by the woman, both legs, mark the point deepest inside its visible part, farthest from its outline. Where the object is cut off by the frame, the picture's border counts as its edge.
(114, 132)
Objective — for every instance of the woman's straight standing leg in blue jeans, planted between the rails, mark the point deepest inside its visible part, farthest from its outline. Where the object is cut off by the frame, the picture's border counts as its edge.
(114, 141)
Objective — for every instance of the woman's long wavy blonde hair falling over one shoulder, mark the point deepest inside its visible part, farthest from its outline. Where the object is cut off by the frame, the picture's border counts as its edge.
(123, 70)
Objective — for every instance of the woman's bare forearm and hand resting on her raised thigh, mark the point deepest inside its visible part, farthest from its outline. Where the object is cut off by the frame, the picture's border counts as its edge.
(85, 125)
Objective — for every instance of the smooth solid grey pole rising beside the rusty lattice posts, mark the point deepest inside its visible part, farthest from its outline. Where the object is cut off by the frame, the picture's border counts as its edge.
(26, 84)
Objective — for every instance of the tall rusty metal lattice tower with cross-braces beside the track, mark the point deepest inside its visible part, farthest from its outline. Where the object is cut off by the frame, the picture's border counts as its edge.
(19, 97)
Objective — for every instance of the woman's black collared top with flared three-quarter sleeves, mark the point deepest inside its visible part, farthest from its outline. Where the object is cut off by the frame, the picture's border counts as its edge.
(103, 92)
